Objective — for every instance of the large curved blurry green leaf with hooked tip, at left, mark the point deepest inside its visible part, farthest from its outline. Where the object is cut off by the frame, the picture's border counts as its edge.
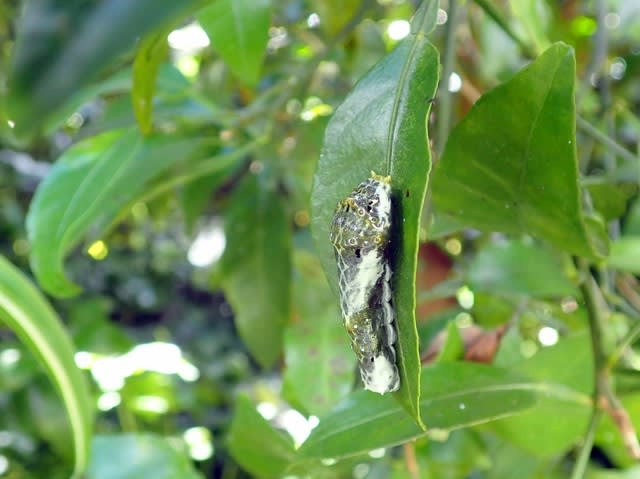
(88, 185)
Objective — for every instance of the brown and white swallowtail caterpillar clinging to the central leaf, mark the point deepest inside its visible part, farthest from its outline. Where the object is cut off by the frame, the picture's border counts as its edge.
(360, 234)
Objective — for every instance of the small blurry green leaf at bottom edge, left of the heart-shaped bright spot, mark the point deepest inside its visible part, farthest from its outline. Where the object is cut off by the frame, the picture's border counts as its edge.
(255, 445)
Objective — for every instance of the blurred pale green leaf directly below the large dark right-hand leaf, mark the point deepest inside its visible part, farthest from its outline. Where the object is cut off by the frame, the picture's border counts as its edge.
(518, 268)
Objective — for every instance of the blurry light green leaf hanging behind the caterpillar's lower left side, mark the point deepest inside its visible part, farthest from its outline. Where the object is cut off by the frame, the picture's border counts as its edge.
(320, 363)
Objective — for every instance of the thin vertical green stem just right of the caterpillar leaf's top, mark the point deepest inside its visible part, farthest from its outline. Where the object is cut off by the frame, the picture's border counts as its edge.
(444, 95)
